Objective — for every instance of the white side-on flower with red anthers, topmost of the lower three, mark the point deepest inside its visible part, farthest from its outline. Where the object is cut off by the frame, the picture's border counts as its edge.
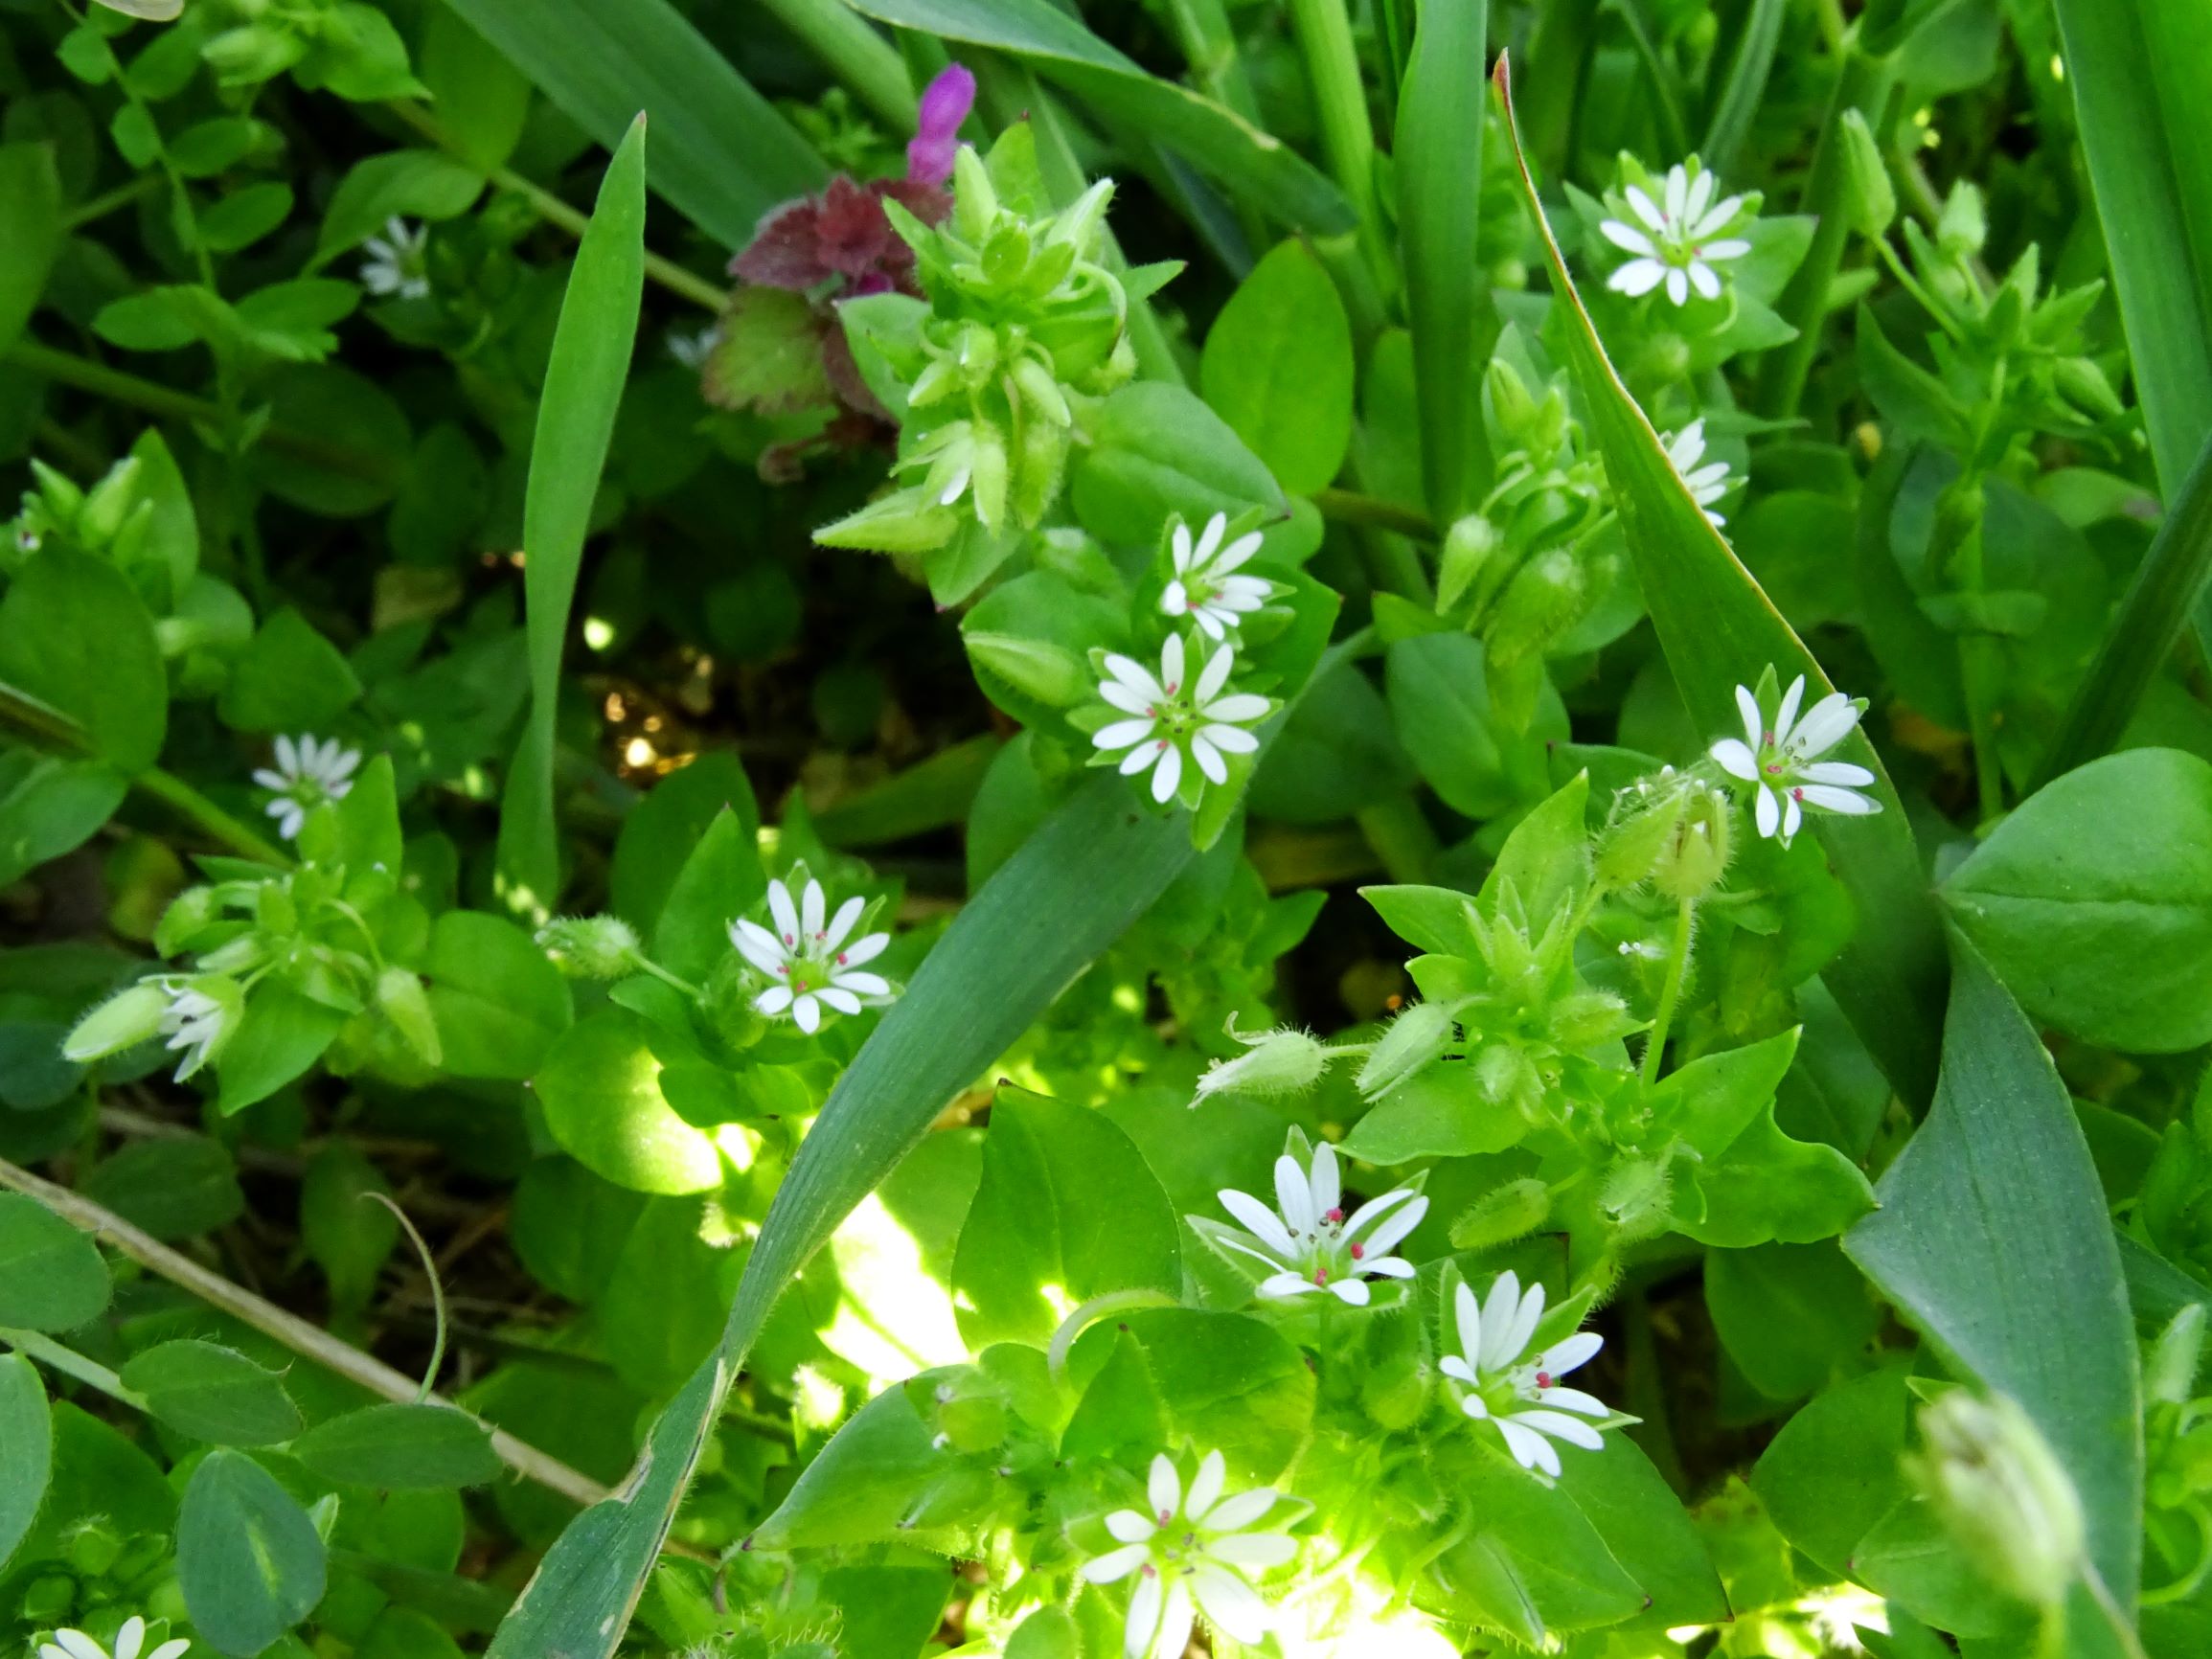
(1308, 1240)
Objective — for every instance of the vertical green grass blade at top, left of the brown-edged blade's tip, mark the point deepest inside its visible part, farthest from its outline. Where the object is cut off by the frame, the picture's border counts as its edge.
(1437, 152)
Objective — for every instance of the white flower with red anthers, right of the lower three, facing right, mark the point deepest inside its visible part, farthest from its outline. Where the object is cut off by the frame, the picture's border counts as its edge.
(1514, 1388)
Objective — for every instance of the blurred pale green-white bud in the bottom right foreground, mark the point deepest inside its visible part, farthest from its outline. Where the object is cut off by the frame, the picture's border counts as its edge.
(1994, 1481)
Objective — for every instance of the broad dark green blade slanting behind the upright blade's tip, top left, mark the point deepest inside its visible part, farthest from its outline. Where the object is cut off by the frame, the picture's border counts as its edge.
(722, 156)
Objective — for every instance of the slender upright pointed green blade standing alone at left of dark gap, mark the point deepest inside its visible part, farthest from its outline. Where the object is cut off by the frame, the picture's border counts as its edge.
(576, 424)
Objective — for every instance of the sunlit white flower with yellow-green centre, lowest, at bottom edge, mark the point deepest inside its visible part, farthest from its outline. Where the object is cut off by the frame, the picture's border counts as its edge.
(1191, 1554)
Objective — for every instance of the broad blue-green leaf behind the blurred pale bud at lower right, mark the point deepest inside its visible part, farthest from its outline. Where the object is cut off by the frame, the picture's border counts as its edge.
(1994, 1240)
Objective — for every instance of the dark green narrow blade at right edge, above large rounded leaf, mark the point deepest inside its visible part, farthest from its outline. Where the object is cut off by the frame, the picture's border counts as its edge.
(2151, 618)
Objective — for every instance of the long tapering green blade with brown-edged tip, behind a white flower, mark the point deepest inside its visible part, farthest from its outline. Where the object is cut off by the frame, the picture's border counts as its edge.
(1720, 629)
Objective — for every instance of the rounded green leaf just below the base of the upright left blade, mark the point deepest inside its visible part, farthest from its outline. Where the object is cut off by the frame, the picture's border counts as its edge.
(497, 999)
